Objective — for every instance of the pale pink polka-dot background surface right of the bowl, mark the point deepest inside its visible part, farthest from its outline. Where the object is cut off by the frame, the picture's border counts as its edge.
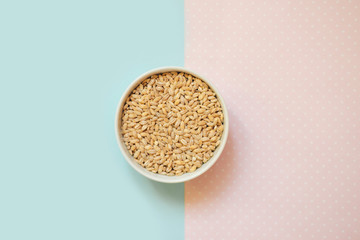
(289, 72)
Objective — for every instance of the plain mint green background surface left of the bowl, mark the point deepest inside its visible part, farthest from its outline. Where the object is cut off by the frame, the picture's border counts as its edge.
(63, 68)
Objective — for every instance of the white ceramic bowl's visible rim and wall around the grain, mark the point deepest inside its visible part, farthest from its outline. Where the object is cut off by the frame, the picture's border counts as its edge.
(155, 176)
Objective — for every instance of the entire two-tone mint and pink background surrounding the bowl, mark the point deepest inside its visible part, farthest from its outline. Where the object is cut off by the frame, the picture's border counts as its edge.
(289, 72)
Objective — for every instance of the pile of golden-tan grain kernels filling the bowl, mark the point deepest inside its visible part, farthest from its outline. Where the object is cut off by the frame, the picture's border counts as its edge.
(172, 123)
